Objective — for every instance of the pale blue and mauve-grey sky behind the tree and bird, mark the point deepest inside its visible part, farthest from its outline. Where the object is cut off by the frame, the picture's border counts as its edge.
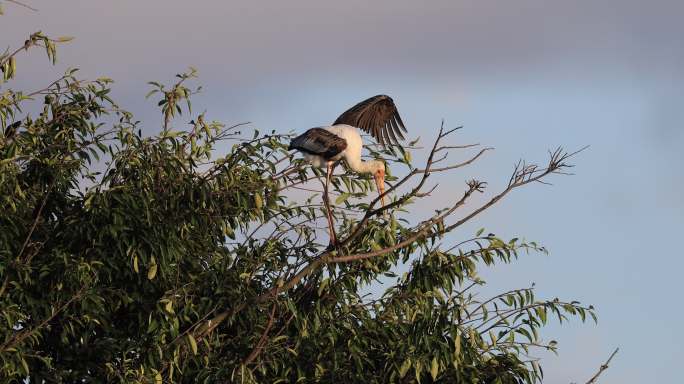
(522, 76)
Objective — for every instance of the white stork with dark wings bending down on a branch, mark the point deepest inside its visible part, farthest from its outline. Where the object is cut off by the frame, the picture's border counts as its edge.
(325, 146)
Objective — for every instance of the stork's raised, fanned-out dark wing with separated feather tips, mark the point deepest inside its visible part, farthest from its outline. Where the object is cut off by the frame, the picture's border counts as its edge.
(378, 116)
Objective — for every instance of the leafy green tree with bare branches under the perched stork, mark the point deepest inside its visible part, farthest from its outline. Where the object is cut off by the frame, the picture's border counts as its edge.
(126, 258)
